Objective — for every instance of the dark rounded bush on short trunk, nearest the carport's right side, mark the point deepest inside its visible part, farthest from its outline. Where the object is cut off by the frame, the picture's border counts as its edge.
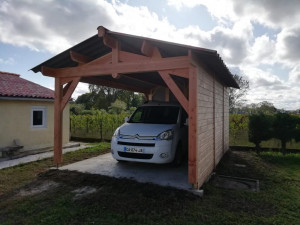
(260, 126)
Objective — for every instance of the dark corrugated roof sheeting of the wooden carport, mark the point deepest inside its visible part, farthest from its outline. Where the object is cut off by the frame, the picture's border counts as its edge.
(95, 48)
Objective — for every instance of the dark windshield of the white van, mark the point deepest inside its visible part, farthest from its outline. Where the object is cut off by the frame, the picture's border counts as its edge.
(155, 115)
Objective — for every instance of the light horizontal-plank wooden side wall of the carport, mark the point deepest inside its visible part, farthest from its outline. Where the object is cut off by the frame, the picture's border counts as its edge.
(212, 123)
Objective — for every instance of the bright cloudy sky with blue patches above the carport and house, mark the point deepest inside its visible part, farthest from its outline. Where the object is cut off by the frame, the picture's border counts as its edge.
(257, 39)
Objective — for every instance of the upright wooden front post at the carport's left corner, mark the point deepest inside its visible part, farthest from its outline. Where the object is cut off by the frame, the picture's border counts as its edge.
(58, 122)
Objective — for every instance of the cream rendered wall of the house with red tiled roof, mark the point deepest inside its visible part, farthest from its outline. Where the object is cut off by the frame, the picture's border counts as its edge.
(15, 123)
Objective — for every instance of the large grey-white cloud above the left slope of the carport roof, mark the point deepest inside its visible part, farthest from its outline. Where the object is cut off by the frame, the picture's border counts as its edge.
(52, 25)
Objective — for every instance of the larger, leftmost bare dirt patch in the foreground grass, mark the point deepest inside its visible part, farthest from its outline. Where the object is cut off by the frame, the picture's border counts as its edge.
(38, 188)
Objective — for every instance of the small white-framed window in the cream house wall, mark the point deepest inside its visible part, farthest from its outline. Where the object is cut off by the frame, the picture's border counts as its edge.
(38, 117)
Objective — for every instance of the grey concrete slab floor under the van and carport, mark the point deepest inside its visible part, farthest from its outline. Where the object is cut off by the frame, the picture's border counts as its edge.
(164, 175)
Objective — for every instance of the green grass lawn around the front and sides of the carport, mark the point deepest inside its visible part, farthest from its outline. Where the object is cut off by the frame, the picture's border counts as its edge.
(123, 201)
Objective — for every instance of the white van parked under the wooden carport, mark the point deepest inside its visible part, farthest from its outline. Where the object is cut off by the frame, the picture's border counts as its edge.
(155, 133)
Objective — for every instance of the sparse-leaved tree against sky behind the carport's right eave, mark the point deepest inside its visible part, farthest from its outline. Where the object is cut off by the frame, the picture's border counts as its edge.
(236, 96)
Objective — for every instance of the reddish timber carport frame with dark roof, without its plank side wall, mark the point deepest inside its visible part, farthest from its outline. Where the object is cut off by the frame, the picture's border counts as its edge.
(136, 64)
